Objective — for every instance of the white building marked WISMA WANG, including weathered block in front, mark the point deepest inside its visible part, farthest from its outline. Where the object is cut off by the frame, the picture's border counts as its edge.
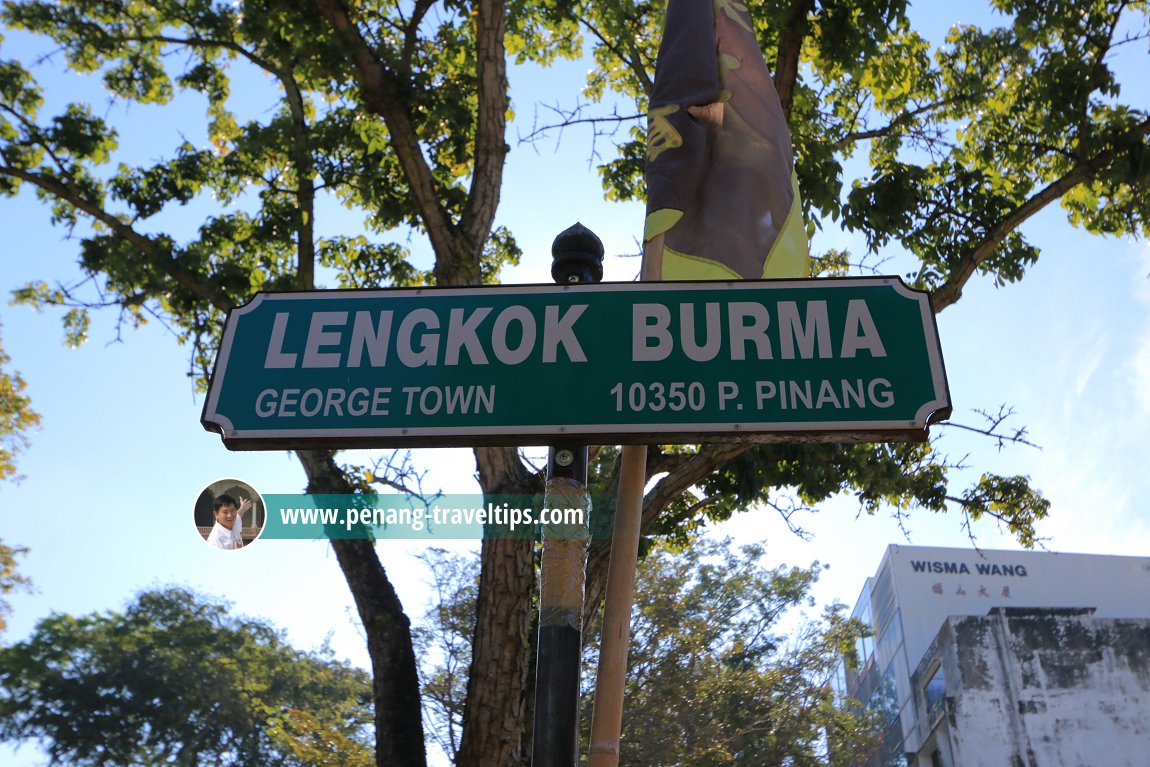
(913, 670)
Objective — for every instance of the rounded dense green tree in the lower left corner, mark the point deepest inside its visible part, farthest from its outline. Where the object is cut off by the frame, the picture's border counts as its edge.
(174, 680)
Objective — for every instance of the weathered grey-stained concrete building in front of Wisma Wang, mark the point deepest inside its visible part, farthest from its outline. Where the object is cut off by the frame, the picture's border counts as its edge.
(1048, 689)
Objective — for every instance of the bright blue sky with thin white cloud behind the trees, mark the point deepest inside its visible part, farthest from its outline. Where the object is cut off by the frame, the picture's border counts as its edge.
(110, 482)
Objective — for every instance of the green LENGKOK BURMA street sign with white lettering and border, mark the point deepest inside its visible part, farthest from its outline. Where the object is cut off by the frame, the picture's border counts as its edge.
(827, 361)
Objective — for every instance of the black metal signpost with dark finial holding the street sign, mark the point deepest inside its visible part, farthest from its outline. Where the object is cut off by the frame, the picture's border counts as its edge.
(577, 259)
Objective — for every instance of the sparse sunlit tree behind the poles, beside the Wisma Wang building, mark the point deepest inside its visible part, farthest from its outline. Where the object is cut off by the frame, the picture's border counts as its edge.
(722, 672)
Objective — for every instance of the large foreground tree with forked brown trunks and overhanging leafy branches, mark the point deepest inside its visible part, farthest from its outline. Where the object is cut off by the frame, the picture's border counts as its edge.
(400, 111)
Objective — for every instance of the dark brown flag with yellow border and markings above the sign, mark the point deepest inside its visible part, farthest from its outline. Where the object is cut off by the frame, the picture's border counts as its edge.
(723, 195)
